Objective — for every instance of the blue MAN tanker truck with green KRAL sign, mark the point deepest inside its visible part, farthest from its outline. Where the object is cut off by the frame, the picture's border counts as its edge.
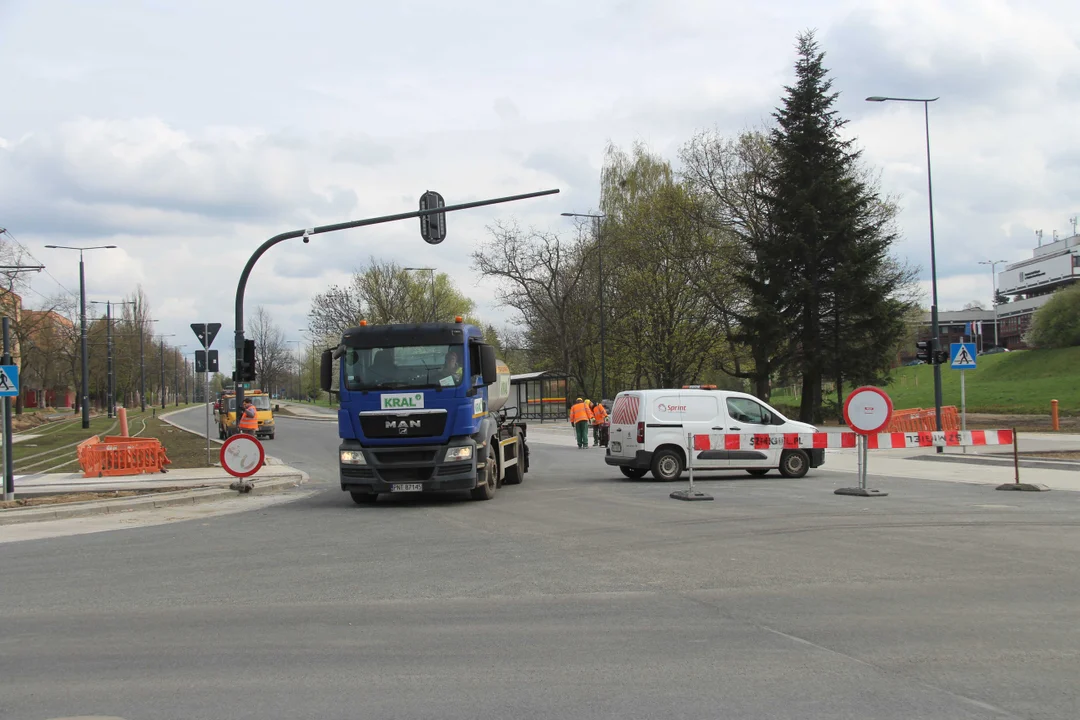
(423, 412)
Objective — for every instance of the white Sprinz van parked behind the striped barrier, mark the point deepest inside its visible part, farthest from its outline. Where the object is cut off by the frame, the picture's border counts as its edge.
(650, 431)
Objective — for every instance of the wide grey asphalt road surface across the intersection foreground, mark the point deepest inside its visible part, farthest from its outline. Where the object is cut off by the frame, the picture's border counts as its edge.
(575, 595)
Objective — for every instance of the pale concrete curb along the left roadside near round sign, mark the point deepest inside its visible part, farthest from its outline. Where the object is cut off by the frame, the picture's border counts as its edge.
(153, 501)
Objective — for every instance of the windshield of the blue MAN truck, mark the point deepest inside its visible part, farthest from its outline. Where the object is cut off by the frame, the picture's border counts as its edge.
(403, 366)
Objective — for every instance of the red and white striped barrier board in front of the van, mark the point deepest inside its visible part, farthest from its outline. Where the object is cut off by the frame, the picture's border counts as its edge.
(831, 441)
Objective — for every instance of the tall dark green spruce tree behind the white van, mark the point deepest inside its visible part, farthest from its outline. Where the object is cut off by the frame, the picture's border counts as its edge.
(839, 292)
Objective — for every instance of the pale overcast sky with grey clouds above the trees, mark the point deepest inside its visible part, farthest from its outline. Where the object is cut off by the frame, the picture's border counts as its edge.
(187, 133)
